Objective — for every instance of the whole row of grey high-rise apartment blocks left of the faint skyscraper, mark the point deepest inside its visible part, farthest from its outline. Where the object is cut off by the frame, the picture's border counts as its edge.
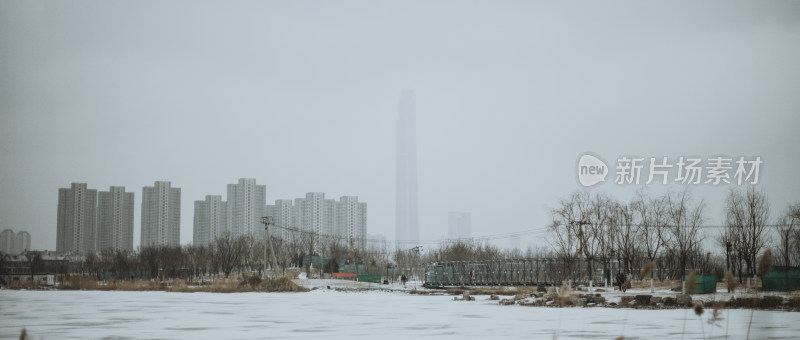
(91, 220)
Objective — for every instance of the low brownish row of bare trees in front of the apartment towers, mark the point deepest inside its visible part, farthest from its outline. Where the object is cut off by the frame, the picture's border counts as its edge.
(227, 254)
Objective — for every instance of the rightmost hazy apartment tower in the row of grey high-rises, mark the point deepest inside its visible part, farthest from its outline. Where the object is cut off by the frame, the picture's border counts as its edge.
(352, 221)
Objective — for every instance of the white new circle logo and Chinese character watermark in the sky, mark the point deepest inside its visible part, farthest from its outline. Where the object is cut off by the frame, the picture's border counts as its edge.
(713, 170)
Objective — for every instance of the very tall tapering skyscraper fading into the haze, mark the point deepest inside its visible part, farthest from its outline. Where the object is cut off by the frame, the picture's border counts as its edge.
(406, 210)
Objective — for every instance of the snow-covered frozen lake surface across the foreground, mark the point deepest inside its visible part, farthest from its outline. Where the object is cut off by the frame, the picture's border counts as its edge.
(353, 315)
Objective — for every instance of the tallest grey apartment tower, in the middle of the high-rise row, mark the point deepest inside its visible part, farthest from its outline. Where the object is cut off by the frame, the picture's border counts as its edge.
(246, 204)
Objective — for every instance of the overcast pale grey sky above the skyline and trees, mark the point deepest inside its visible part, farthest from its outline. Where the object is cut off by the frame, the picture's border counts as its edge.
(302, 95)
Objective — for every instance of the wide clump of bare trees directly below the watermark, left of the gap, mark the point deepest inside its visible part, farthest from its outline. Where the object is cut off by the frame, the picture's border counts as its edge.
(600, 230)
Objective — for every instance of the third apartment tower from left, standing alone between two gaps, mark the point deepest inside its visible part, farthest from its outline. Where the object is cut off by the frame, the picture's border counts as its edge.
(161, 215)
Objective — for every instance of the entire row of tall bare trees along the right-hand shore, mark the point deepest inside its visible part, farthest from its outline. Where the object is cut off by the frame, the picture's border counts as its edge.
(669, 231)
